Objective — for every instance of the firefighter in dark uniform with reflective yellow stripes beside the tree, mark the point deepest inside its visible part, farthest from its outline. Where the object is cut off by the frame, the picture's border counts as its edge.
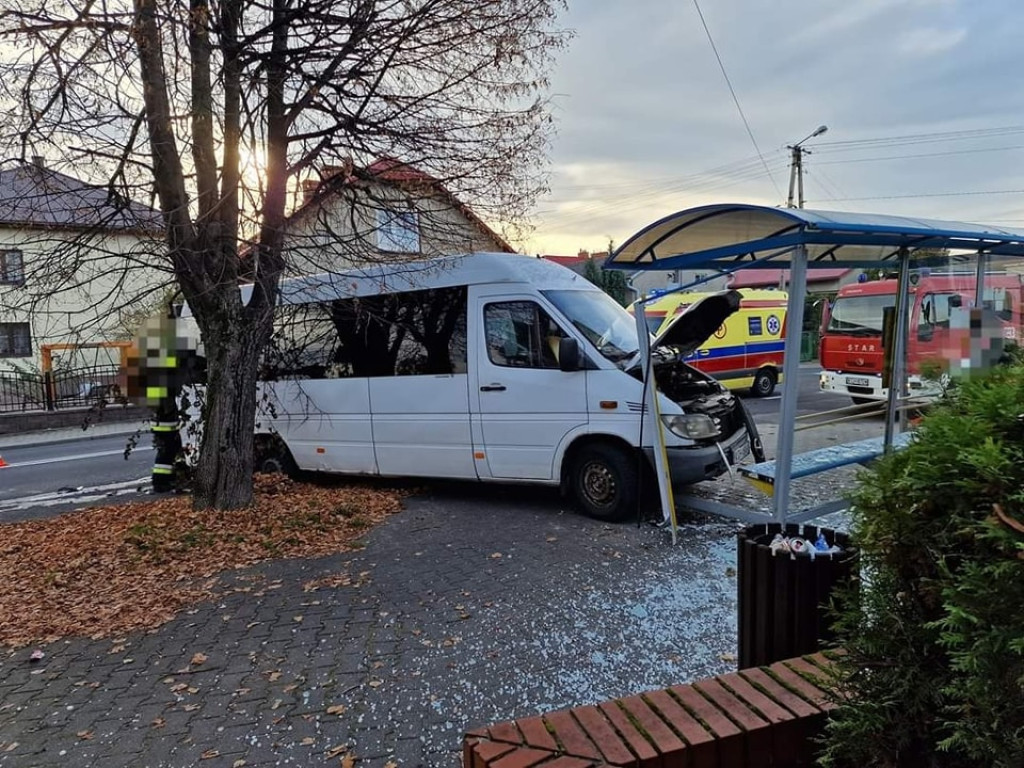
(157, 373)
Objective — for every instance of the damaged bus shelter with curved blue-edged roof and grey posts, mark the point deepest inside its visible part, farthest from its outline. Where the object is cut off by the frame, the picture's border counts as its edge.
(727, 238)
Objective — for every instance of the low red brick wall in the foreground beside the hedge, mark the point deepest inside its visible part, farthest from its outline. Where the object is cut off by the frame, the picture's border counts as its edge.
(757, 718)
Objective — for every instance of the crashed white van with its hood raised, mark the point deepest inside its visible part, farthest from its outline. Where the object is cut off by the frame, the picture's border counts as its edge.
(487, 367)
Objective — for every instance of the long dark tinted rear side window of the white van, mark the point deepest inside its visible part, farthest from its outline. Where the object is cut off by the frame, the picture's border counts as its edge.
(408, 334)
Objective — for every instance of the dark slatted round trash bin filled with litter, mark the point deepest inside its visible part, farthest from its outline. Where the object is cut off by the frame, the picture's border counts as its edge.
(784, 591)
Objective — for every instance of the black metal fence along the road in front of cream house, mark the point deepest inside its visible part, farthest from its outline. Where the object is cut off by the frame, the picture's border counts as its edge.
(79, 388)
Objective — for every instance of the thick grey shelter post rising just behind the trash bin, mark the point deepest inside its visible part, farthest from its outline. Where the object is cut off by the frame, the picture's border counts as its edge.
(791, 381)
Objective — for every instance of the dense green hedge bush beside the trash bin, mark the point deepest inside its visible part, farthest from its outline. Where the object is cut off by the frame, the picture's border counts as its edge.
(934, 674)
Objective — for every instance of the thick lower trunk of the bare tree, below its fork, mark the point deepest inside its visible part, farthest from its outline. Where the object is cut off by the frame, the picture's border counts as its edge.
(224, 478)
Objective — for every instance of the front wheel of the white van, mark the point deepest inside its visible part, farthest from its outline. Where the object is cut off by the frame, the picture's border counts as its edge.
(606, 482)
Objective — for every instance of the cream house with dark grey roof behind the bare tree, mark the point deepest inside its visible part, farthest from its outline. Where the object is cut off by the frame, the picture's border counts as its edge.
(74, 260)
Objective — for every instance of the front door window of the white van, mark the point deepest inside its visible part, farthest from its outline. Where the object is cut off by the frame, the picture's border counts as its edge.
(521, 334)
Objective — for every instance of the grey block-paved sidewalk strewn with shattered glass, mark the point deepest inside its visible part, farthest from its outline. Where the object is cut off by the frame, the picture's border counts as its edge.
(475, 606)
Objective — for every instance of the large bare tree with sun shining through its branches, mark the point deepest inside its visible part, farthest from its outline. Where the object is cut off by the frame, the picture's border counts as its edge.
(218, 109)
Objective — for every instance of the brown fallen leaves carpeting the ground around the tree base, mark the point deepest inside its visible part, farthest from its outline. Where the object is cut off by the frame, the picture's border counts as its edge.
(112, 570)
